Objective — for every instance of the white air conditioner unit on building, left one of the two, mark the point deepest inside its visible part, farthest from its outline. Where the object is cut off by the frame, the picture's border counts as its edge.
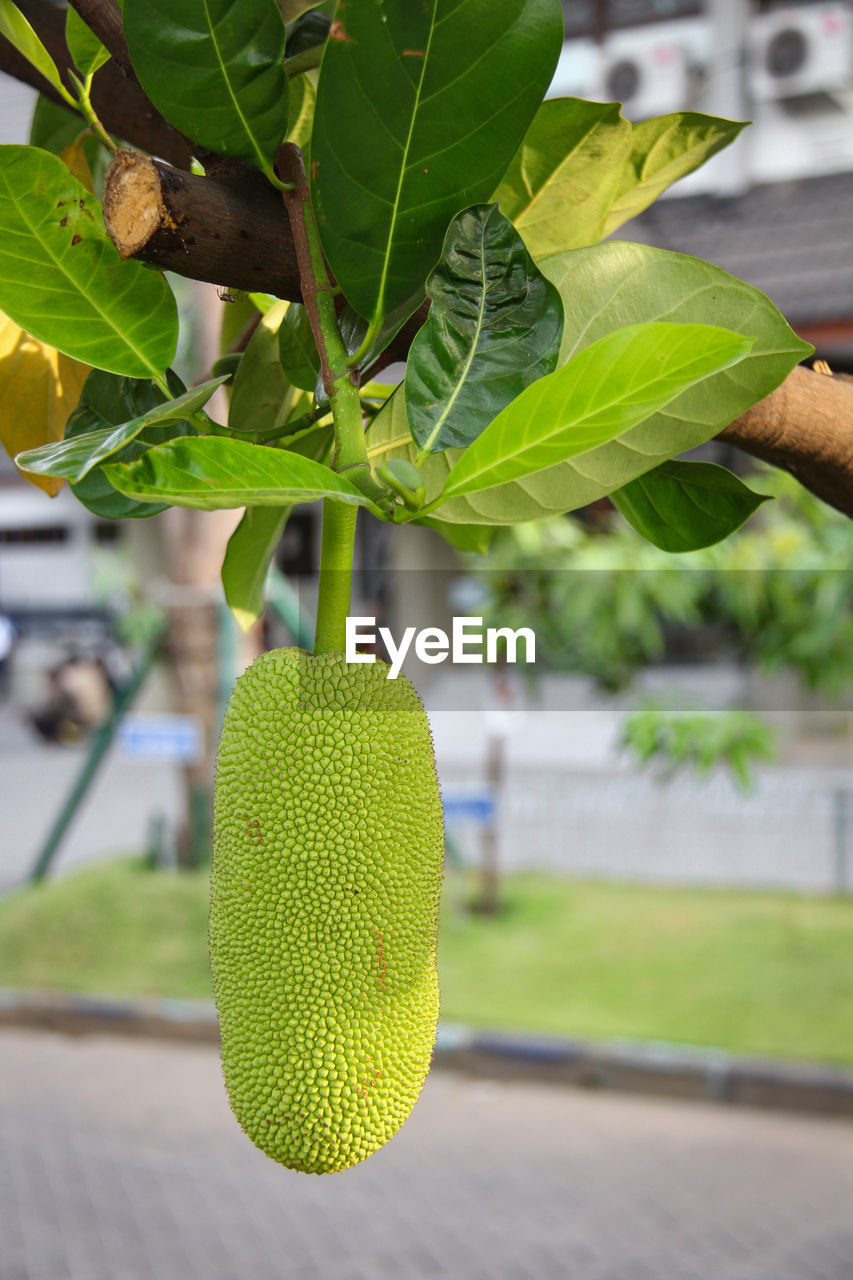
(649, 80)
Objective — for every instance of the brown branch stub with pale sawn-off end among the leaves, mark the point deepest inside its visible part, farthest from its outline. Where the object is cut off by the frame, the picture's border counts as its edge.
(207, 230)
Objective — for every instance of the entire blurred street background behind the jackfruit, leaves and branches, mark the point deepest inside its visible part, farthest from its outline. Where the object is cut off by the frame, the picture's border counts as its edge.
(650, 834)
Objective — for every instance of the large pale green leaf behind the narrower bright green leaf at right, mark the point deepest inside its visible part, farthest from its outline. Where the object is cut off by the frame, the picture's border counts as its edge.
(603, 289)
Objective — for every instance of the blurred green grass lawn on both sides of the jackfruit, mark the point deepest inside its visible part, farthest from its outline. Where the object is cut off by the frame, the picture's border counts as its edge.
(754, 973)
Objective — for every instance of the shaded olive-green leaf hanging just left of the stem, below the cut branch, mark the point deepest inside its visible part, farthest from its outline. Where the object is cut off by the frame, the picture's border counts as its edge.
(263, 397)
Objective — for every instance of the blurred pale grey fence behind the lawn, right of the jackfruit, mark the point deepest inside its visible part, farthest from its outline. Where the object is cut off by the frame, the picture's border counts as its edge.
(793, 833)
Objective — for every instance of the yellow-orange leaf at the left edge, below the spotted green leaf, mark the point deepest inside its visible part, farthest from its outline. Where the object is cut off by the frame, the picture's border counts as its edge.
(39, 391)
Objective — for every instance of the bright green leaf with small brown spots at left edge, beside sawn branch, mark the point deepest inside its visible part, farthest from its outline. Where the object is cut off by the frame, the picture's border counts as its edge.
(63, 281)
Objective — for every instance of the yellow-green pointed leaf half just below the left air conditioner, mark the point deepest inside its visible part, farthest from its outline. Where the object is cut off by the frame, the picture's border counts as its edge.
(664, 150)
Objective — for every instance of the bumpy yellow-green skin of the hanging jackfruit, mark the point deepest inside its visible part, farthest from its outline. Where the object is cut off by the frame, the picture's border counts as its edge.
(329, 853)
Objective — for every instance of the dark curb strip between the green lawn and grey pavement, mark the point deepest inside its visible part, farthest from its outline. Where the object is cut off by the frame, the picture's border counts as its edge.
(656, 1069)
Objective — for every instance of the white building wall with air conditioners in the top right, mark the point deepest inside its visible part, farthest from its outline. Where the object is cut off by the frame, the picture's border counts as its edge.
(804, 121)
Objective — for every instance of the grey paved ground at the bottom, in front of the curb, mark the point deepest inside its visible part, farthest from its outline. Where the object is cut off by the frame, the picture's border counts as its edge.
(120, 1162)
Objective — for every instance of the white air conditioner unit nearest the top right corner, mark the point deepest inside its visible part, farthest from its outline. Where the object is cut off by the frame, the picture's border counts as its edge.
(800, 52)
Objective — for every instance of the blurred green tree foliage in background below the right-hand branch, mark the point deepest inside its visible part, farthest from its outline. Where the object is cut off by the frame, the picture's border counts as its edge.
(604, 602)
